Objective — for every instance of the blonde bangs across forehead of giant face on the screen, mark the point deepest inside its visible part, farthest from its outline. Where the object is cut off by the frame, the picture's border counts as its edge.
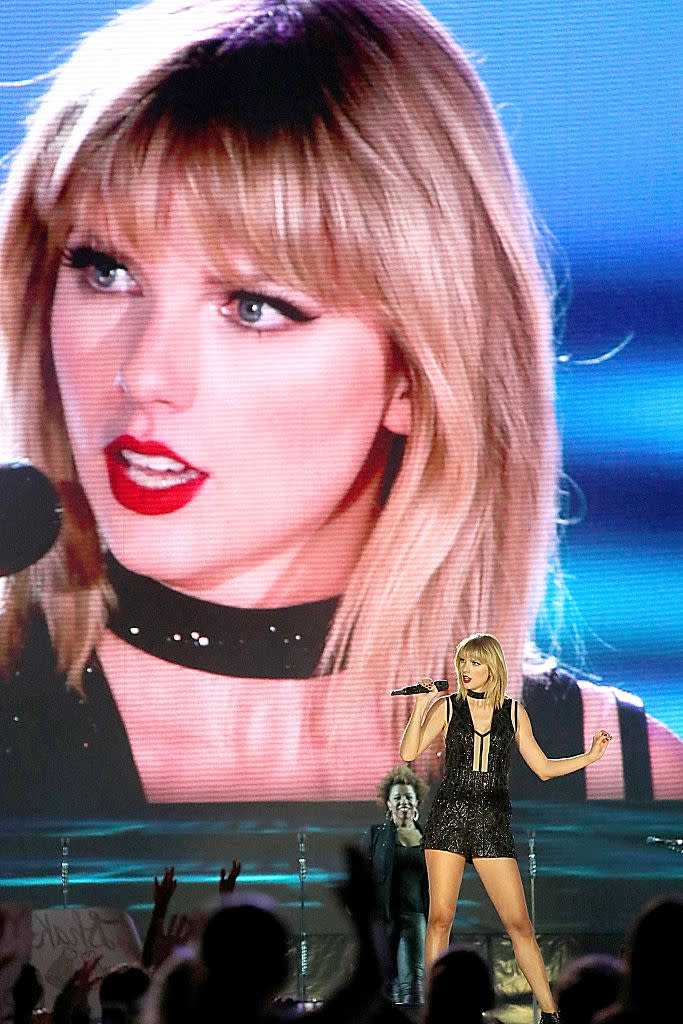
(296, 208)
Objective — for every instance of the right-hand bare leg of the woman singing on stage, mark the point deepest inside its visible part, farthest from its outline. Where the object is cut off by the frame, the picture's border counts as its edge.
(502, 882)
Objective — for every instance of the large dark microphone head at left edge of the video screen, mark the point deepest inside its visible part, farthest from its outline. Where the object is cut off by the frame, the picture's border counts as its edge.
(30, 517)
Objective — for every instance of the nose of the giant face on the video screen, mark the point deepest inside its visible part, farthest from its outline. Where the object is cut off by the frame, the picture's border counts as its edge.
(160, 360)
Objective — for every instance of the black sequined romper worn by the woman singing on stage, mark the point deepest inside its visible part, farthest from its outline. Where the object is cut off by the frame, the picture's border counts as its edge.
(472, 809)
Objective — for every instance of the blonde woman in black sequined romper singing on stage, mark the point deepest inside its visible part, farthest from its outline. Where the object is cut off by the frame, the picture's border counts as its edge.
(469, 821)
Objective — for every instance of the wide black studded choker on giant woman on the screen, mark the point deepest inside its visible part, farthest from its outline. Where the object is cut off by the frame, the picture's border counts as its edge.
(246, 644)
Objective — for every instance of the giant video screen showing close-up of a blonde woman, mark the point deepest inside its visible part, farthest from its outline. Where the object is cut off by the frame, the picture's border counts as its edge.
(341, 333)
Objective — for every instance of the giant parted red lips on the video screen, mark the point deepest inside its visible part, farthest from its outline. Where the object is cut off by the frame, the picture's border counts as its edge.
(150, 479)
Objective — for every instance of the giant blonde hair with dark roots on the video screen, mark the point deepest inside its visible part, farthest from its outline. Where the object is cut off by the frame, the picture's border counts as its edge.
(380, 152)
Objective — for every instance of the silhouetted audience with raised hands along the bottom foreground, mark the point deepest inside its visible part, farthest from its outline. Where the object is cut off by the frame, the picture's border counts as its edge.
(236, 968)
